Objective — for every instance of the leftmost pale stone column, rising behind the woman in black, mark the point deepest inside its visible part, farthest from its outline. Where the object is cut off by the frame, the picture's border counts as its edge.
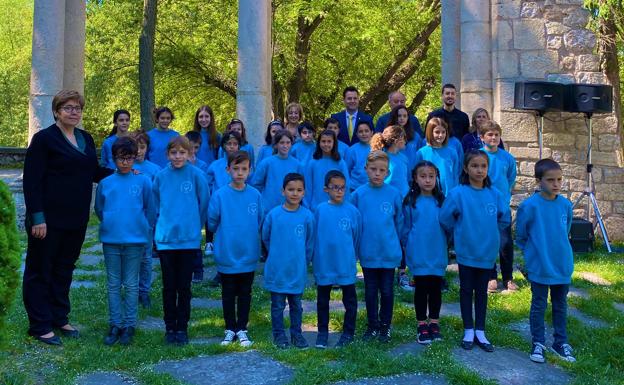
(46, 77)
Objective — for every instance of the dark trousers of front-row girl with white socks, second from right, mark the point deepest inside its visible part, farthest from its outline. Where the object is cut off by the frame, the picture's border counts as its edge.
(473, 282)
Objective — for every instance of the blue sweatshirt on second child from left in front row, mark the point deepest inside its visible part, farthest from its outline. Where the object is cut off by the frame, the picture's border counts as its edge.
(181, 197)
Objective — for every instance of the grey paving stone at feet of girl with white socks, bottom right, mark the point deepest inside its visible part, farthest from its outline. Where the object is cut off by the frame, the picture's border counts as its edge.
(510, 367)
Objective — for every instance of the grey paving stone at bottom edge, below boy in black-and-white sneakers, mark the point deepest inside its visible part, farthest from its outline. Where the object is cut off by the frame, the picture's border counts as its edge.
(257, 369)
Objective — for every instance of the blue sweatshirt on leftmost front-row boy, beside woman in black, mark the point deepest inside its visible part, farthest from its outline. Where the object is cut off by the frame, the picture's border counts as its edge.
(123, 202)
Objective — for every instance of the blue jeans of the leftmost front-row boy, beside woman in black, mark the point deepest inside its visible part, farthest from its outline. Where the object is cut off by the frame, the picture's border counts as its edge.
(122, 269)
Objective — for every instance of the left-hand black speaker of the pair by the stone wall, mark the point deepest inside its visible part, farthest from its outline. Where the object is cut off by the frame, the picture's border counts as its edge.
(540, 96)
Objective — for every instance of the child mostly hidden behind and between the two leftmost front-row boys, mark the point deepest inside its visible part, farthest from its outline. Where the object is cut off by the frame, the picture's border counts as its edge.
(150, 170)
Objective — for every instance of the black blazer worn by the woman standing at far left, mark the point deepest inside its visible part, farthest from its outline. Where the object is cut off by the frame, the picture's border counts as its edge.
(58, 179)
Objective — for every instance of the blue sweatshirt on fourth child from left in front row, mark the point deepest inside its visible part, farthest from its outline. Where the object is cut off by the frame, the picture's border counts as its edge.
(289, 238)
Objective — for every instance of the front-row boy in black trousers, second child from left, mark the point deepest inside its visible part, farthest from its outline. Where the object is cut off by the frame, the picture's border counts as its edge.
(181, 195)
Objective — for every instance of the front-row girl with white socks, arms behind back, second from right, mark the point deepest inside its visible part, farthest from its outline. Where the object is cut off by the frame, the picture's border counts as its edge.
(474, 204)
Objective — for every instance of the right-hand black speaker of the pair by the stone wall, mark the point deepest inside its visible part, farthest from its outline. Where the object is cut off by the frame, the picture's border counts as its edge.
(593, 98)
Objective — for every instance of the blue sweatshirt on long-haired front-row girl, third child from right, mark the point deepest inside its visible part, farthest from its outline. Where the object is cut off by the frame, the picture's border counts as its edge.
(424, 238)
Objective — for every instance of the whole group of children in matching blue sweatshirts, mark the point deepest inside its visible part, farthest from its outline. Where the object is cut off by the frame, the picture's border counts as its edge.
(392, 199)
